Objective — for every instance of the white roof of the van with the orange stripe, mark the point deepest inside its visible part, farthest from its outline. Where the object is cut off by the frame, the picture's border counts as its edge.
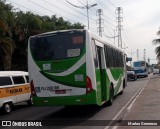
(12, 73)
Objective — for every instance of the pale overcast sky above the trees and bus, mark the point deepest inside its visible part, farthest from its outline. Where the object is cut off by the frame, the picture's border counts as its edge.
(141, 20)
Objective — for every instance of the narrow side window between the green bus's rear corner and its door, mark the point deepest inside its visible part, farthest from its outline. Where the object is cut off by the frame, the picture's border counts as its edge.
(94, 53)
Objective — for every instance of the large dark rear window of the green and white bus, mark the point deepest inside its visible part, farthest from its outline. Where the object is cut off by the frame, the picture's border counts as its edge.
(57, 46)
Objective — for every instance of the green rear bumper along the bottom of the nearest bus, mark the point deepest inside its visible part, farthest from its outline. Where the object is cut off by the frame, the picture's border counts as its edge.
(86, 99)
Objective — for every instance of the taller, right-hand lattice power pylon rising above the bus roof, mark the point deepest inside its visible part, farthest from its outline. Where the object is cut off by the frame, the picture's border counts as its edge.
(119, 27)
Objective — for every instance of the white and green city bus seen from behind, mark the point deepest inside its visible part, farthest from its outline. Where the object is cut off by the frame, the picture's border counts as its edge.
(74, 67)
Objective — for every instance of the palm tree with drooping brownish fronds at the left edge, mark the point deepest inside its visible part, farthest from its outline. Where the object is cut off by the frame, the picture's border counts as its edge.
(6, 43)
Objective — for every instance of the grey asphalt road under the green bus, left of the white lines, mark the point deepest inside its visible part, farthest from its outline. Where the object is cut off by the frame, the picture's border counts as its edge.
(76, 117)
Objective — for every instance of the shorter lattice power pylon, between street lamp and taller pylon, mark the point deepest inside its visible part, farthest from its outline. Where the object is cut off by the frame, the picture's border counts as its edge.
(100, 20)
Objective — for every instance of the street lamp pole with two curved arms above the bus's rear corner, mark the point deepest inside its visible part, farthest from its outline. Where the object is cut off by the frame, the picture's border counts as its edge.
(84, 7)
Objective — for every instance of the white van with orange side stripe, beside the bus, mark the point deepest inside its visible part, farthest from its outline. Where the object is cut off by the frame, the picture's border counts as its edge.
(14, 88)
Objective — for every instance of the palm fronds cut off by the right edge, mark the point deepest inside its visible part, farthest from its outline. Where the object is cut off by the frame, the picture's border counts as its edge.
(156, 42)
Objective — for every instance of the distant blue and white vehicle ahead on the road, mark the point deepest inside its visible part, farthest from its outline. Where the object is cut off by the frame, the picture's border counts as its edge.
(140, 68)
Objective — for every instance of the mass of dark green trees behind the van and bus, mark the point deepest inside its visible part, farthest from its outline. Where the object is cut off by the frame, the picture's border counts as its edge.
(17, 27)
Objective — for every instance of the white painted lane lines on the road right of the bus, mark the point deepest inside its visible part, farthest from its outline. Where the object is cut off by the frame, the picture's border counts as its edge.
(129, 104)
